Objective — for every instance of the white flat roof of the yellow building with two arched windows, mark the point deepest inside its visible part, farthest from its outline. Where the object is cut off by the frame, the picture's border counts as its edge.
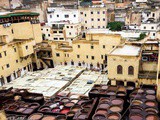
(127, 50)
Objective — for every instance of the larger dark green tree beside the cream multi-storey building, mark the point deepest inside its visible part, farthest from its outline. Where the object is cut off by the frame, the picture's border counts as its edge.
(115, 26)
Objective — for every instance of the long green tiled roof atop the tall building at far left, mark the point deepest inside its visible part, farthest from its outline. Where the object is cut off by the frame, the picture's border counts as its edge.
(19, 14)
